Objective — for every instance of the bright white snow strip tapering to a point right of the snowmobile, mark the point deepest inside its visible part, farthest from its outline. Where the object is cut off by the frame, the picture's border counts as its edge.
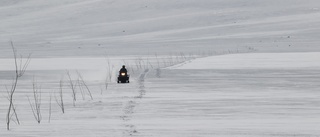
(308, 60)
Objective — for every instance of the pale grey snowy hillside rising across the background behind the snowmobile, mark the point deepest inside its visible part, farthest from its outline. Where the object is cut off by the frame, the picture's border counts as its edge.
(80, 27)
